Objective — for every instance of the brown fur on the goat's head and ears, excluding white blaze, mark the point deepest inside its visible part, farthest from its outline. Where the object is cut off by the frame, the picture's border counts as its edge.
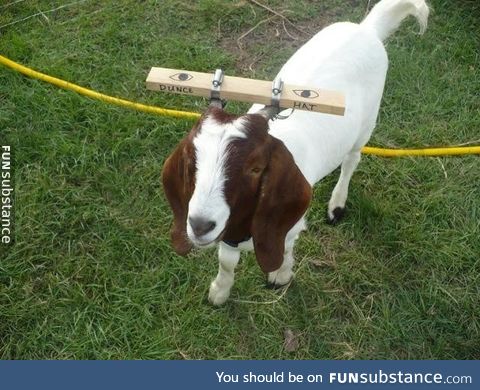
(265, 190)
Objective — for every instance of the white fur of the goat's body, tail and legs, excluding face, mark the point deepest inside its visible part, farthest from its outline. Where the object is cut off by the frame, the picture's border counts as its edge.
(345, 57)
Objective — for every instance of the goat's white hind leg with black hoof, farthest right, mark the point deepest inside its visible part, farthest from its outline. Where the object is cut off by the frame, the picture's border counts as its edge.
(336, 205)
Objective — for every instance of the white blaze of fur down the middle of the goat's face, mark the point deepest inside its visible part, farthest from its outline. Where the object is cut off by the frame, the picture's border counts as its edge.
(208, 199)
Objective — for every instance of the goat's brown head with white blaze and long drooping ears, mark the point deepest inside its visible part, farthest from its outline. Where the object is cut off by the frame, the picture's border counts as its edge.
(228, 179)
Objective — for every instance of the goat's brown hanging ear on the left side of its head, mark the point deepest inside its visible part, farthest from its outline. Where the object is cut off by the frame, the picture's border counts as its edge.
(177, 178)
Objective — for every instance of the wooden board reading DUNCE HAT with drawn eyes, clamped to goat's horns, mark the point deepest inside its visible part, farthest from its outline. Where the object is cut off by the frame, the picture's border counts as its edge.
(246, 90)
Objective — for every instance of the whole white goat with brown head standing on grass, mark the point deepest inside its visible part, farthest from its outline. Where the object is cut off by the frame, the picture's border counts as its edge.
(245, 181)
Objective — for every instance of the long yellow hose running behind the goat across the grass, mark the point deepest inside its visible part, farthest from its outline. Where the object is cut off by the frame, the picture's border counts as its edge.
(450, 151)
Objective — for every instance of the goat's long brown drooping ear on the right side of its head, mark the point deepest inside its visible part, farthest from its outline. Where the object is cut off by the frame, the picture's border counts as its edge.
(284, 197)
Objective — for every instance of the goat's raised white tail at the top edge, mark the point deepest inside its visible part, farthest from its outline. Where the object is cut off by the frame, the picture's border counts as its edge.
(387, 15)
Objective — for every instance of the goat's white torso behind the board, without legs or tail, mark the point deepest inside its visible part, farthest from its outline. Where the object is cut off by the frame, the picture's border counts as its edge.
(344, 57)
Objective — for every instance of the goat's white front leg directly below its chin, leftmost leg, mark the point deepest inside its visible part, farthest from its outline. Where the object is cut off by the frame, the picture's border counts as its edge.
(220, 287)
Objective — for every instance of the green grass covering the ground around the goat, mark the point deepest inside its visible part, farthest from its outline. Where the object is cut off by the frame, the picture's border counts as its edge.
(92, 275)
